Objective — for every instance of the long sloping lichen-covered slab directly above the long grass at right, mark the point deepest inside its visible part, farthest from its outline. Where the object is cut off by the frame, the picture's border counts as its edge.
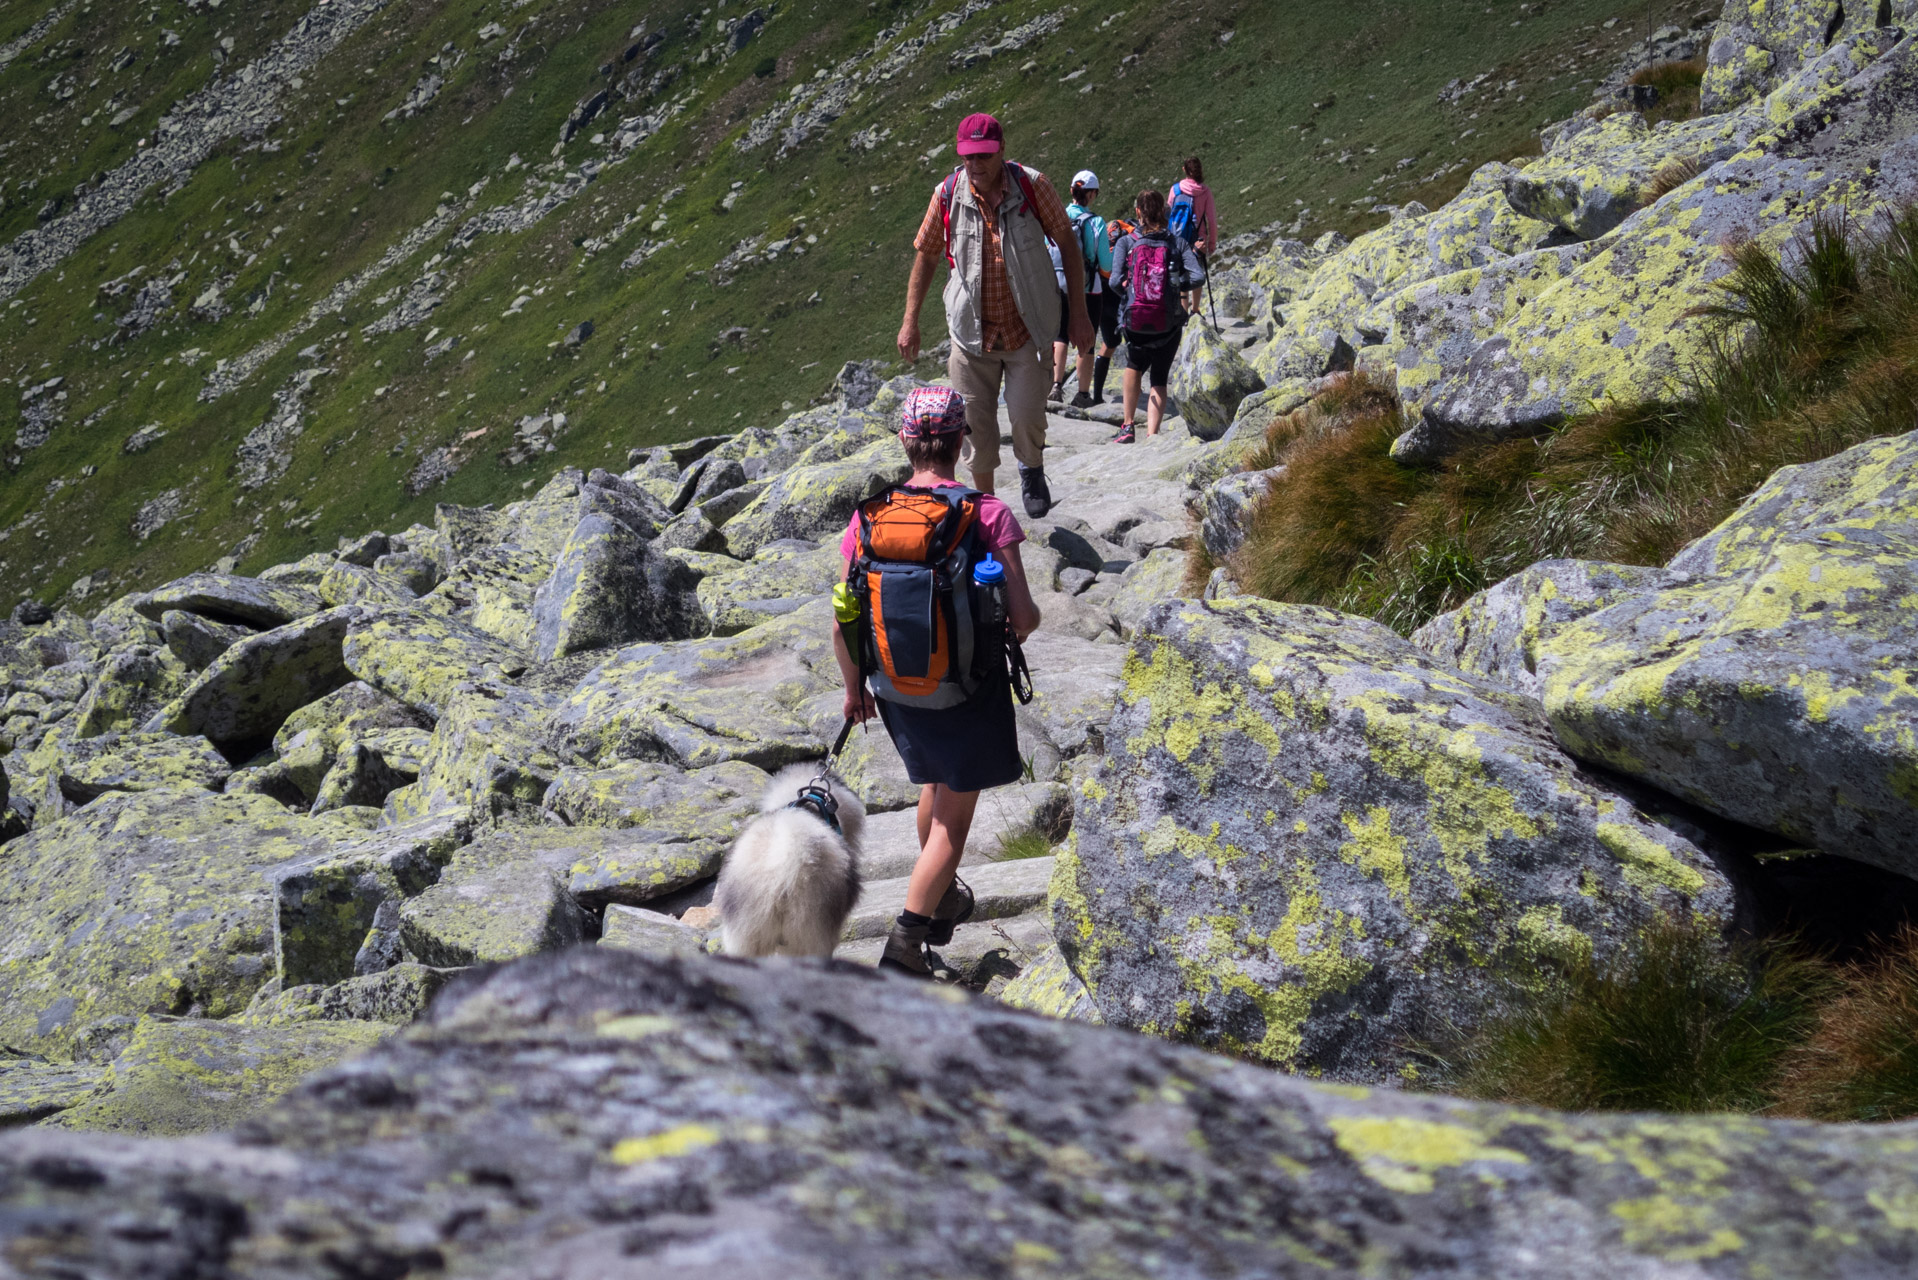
(1627, 325)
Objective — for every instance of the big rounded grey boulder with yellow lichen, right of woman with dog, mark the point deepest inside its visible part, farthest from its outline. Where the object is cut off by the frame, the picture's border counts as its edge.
(1313, 843)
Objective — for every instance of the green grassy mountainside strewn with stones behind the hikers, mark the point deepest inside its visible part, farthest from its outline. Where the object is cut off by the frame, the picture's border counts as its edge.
(1307, 112)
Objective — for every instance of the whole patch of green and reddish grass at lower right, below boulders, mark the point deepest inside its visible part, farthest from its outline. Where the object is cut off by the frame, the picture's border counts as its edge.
(1677, 1024)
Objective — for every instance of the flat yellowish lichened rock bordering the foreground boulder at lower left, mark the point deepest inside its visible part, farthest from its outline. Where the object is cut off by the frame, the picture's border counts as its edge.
(191, 1076)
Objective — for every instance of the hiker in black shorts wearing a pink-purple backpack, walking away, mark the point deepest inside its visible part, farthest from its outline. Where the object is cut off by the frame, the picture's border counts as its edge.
(1152, 270)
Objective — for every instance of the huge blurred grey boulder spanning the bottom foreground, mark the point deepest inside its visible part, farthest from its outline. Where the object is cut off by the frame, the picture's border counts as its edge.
(611, 1114)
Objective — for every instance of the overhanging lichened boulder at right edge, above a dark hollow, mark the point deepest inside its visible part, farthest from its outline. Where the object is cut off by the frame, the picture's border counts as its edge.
(1771, 676)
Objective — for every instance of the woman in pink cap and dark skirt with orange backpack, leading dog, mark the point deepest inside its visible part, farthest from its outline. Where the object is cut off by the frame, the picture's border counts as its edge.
(939, 581)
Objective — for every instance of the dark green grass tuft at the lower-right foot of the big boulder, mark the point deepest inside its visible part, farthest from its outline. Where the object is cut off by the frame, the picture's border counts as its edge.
(1675, 1024)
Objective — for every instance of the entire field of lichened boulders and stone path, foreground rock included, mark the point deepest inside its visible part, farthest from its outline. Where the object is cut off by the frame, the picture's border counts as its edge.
(356, 916)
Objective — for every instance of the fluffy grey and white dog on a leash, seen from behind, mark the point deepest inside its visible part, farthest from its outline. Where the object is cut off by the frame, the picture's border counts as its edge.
(791, 880)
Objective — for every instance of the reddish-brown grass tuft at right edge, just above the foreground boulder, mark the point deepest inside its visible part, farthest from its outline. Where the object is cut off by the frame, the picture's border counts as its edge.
(1863, 1060)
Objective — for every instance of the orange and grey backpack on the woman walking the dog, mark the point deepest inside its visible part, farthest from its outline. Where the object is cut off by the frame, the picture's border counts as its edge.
(914, 577)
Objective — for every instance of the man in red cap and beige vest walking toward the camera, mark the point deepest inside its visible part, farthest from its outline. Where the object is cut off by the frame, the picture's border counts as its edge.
(1002, 298)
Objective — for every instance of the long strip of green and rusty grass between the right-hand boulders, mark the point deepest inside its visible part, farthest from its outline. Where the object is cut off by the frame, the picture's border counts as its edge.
(1815, 354)
